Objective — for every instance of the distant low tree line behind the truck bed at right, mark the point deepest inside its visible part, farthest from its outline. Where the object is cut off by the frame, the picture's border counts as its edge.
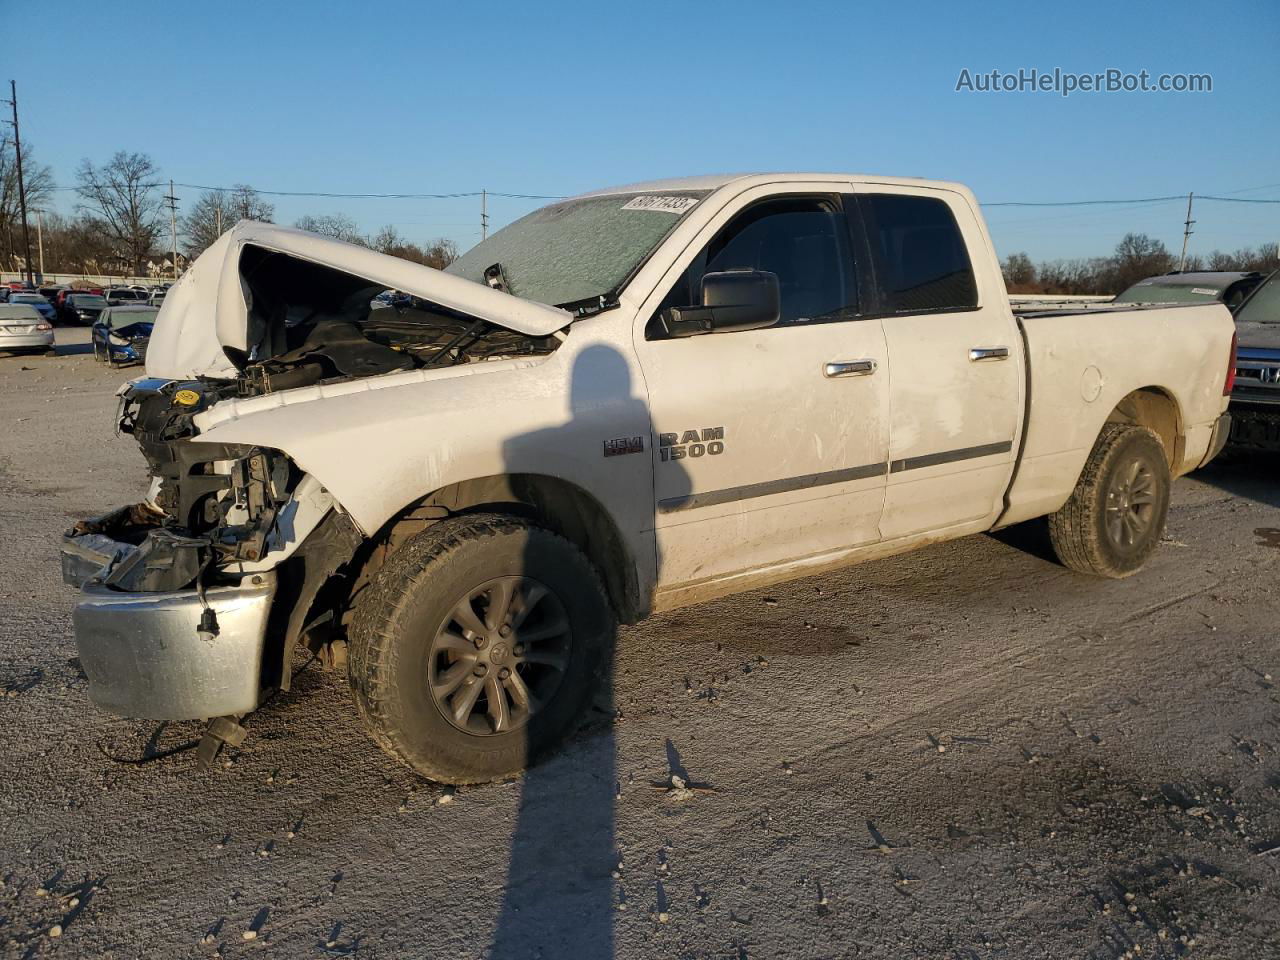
(1136, 258)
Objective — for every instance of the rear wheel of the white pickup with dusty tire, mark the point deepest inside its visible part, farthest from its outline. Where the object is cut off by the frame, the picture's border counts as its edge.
(1116, 516)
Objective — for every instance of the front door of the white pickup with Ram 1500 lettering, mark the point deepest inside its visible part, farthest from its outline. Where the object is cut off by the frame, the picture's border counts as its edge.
(770, 446)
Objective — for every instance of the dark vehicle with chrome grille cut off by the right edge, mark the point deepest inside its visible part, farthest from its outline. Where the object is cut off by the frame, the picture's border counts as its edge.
(1256, 394)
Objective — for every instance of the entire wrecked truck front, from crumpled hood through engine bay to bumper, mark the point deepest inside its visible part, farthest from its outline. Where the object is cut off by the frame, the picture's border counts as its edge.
(195, 600)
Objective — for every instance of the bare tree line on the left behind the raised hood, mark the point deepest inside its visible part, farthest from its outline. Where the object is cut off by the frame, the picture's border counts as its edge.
(121, 223)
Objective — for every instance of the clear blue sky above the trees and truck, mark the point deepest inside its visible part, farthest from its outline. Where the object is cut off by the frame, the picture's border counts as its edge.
(561, 98)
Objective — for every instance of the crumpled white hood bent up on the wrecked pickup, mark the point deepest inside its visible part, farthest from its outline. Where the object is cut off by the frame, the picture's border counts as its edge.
(207, 310)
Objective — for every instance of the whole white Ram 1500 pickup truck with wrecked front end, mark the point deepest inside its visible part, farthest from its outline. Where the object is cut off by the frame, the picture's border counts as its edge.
(624, 403)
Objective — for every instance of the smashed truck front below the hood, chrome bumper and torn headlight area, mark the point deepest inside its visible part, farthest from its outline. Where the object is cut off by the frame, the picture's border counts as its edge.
(177, 615)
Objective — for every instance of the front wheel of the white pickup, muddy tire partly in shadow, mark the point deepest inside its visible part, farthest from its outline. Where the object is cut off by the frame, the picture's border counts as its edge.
(406, 629)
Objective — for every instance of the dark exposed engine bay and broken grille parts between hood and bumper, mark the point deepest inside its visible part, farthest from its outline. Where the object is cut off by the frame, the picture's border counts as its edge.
(214, 508)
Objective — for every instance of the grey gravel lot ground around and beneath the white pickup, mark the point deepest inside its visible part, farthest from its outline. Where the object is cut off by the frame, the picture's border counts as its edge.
(967, 752)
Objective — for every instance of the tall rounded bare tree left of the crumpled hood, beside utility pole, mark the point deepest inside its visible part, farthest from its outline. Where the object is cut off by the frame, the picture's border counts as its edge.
(122, 202)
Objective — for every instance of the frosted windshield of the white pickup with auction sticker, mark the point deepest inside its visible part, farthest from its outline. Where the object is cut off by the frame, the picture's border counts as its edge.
(578, 250)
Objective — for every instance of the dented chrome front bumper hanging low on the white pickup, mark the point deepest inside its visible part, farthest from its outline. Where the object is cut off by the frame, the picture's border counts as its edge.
(145, 659)
